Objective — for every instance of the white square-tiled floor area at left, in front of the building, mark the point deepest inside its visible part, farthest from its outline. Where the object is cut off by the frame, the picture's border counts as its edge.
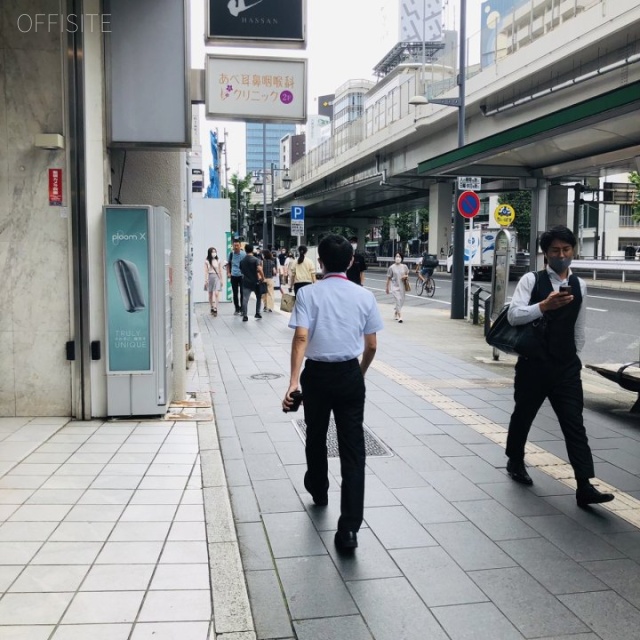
(103, 532)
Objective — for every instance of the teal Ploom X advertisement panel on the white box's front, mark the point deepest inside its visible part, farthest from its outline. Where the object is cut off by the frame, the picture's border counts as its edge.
(126, 254)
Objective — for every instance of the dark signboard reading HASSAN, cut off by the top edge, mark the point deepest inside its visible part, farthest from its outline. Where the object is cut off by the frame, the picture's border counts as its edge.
(255, 23)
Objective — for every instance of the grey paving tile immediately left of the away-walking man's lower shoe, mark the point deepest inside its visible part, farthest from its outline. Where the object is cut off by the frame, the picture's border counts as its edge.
(292, 534)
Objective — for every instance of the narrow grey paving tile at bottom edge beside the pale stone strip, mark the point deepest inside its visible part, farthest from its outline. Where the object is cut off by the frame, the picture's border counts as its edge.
(268, 606)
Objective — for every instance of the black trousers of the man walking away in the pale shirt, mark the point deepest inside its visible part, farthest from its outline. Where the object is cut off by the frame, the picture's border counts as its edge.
(337, 387)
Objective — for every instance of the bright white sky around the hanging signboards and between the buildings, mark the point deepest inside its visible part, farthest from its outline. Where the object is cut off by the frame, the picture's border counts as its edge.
(345, 40)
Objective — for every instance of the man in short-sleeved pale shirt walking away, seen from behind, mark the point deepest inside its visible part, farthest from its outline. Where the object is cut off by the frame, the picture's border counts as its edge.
(335, 322)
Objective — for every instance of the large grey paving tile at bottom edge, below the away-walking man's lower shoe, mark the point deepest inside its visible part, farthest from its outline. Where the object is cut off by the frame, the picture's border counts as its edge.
(393, 610)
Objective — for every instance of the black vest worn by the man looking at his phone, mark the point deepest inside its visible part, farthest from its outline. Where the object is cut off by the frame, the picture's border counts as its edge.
(560, 340)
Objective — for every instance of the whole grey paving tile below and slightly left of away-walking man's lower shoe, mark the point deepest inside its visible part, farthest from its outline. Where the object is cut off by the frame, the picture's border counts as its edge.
(313, 588)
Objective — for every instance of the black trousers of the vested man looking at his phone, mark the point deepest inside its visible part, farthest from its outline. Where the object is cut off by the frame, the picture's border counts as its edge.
(560, 382)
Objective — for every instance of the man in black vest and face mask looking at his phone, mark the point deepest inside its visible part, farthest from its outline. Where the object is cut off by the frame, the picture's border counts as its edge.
(556, 297)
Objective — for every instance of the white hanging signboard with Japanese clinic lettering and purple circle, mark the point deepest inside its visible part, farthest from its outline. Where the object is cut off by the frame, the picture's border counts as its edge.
(256, 89)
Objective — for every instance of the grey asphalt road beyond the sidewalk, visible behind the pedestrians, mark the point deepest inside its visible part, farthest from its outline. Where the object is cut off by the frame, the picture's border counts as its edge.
(613, 318)
